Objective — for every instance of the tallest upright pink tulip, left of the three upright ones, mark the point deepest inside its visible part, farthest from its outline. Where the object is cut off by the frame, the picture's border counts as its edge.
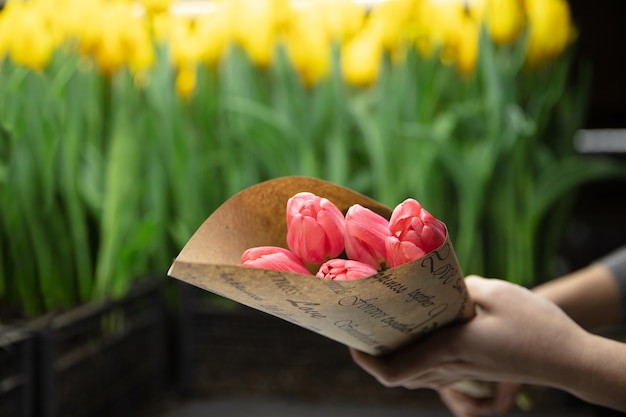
(315, 228)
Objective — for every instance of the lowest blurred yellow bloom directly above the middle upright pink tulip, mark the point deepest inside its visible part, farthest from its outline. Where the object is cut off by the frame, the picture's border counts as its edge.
(361, 59)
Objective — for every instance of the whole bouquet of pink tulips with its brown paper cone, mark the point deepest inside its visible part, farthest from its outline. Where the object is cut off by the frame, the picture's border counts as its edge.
(386, 276)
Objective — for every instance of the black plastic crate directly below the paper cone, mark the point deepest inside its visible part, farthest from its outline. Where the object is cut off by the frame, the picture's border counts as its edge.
(239, 351)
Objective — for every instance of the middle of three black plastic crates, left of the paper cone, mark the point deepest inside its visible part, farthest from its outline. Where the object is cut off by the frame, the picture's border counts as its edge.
(104, 360)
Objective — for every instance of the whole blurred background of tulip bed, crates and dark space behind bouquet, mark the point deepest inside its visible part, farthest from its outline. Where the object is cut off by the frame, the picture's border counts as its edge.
(125, 124)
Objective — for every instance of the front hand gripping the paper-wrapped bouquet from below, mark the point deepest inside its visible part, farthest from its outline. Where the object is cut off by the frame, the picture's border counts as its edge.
(516, 336)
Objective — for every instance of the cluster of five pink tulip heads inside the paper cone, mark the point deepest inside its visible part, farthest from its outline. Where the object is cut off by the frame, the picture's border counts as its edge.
(318, 234)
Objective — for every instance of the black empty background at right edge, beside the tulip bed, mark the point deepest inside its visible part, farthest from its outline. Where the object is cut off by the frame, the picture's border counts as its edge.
(598, 224)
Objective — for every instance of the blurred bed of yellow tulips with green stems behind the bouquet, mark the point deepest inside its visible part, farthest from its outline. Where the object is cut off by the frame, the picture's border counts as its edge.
(124, 124)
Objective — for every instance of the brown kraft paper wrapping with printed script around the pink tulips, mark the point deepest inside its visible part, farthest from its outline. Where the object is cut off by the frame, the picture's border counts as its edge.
(377, 314)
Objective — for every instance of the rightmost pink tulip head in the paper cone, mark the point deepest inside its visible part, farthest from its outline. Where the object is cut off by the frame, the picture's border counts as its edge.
(414, 233)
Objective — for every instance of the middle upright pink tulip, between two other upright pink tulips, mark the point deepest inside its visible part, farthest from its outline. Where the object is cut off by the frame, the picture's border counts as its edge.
(365, 236)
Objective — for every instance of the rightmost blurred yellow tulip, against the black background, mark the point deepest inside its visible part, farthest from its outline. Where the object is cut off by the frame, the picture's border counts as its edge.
(551, 29)
